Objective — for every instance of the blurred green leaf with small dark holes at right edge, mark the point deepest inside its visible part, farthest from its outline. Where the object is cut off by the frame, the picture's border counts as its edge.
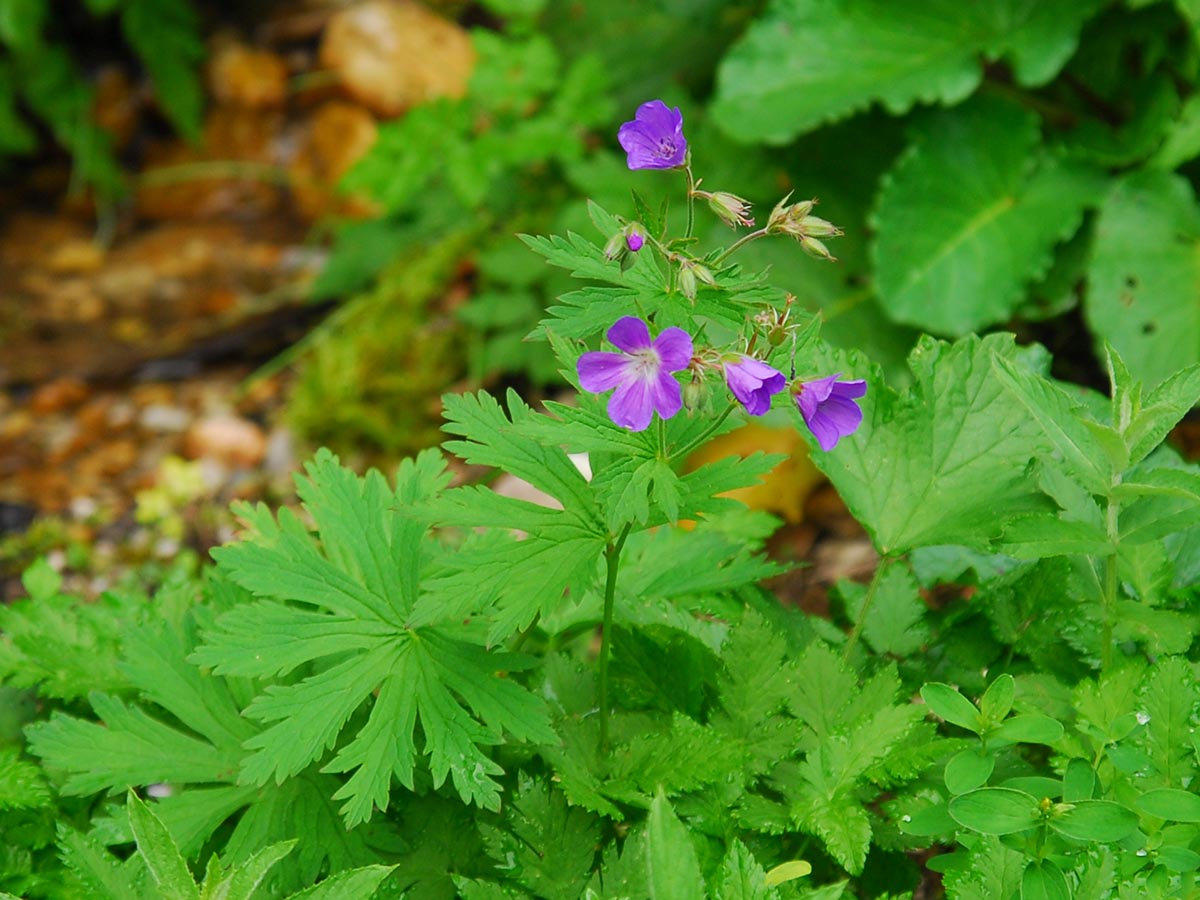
(1144, 265)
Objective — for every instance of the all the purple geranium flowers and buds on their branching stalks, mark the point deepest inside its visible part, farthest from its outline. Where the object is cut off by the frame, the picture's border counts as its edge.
(643, 375)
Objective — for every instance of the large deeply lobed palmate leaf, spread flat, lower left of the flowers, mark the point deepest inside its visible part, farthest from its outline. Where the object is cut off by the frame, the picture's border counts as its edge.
(363, 577)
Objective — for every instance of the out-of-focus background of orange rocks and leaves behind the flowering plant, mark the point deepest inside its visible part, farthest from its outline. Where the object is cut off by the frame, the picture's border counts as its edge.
(236, 232)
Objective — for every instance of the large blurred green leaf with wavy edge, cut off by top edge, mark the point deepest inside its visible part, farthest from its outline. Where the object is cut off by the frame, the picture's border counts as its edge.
(809, 62)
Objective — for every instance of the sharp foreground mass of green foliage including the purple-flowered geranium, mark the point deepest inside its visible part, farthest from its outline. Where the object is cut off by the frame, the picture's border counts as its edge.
(441, 692)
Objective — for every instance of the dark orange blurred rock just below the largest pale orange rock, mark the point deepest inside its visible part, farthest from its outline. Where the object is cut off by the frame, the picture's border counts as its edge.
(339, 136)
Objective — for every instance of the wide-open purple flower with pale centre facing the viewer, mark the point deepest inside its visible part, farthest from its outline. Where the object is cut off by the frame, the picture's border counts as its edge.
(641, 374)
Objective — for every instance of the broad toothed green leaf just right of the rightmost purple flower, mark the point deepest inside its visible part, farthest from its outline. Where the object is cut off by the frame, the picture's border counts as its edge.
(946, 464)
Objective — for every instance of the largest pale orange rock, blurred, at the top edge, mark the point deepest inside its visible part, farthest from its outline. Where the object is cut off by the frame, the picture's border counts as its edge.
(394, 55)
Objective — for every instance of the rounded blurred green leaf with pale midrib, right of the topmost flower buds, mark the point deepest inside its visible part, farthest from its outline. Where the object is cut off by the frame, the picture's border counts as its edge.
(970, 215)
